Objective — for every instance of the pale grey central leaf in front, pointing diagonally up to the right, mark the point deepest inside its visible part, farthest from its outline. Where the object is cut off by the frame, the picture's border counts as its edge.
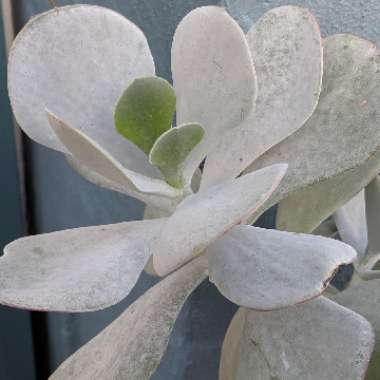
(203, 217)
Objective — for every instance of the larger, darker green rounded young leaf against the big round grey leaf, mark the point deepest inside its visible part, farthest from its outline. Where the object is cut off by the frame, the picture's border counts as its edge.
(145, 111)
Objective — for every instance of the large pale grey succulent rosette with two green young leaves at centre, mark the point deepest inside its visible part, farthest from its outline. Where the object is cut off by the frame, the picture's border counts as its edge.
(274, 116)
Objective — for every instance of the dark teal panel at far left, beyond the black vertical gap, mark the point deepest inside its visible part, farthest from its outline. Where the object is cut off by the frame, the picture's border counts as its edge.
(15, 325)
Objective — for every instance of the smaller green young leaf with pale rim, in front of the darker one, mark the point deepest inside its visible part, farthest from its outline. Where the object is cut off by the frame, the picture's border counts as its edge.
(172, 149)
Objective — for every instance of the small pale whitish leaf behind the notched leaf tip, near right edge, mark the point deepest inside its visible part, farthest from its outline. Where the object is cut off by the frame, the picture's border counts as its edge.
(352, 225)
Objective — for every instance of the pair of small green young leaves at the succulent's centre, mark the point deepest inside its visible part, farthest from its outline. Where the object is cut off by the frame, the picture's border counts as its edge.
(144, 115)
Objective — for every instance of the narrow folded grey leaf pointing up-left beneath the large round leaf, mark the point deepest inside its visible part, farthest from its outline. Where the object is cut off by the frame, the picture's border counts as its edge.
(88, 153)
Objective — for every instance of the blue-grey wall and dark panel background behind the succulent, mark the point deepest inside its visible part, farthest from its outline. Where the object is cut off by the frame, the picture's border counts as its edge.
(41, 193)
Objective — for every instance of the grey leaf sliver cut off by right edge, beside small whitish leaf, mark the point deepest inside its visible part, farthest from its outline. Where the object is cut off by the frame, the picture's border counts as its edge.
(372, 208)
